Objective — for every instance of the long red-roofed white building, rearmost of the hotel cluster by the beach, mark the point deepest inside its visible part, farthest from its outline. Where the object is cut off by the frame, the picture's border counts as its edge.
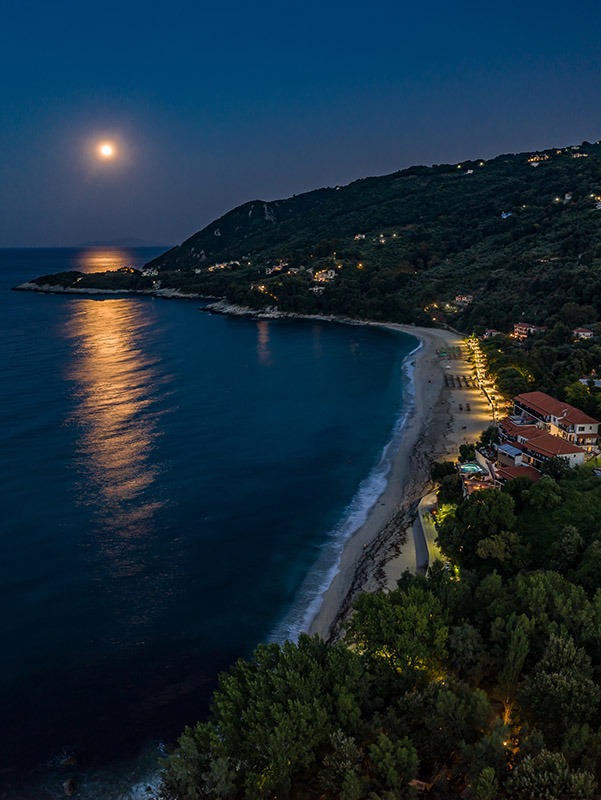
(557, 418)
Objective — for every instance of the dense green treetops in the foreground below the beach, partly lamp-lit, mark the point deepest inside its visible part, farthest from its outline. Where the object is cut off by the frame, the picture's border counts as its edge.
(482, 681)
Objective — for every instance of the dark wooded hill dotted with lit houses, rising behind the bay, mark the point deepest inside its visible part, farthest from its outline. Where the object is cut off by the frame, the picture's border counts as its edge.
(521, 233)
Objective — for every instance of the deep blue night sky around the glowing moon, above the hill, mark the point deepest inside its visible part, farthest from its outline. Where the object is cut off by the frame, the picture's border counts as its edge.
(211, 105)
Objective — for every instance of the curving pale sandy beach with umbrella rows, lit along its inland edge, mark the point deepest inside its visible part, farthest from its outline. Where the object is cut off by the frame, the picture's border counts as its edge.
(385, 546)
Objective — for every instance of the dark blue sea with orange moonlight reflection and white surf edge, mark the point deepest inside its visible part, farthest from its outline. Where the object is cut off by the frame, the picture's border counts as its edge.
(175, 488)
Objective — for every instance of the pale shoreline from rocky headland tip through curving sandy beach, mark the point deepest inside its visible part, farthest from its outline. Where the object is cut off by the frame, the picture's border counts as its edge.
(390, 540)
